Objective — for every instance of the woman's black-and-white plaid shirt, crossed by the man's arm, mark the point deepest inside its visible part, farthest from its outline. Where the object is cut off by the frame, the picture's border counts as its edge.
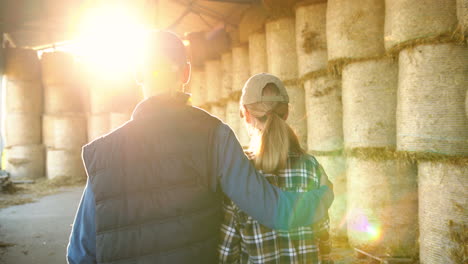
(244, 240)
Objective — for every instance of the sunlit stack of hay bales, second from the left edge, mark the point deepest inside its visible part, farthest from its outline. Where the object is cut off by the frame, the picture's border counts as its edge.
(64, 121)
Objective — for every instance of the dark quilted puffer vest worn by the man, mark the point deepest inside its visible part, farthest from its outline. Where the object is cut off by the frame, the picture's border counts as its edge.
(156, 200)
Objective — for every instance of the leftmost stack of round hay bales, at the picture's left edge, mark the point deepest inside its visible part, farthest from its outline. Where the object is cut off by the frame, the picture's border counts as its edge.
(22, 109)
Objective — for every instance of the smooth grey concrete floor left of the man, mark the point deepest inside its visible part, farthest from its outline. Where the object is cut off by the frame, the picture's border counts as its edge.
(39, 230)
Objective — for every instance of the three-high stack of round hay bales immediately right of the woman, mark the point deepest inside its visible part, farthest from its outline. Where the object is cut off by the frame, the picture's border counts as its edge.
(323, 105)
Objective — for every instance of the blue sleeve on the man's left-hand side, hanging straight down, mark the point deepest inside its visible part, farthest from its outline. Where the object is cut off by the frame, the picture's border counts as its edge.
(82, 245)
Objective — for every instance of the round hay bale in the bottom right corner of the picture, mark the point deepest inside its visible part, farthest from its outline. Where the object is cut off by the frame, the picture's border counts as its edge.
(442, 212)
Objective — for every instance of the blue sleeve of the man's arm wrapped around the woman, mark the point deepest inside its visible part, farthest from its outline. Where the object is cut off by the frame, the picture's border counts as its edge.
(254, 195)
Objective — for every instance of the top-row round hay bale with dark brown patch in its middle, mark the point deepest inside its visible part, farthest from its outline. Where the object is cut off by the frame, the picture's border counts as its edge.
(311, 38)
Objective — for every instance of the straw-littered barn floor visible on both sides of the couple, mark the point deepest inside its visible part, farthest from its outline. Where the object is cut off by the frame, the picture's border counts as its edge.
(35, 224)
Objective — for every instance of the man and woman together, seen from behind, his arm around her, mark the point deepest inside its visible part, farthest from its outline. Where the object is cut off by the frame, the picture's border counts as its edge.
(165, 185)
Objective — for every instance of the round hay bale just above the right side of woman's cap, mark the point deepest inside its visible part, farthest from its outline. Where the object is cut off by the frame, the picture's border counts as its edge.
(281, 48)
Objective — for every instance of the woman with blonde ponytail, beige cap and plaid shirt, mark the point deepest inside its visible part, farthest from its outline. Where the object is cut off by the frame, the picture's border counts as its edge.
(276, 152)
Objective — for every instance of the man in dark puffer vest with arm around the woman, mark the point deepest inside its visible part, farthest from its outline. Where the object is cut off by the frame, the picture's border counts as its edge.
(154, 185)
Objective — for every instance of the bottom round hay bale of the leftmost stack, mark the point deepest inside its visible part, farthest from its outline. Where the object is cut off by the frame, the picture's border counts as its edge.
(26, 161)
